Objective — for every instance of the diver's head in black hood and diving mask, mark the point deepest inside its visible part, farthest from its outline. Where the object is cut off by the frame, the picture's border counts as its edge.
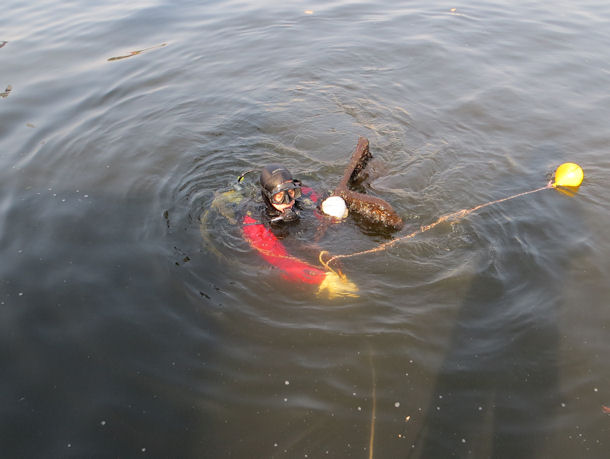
(280, 191)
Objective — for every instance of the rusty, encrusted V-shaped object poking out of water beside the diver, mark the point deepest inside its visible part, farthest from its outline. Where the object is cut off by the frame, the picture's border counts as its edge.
(373, 209)
